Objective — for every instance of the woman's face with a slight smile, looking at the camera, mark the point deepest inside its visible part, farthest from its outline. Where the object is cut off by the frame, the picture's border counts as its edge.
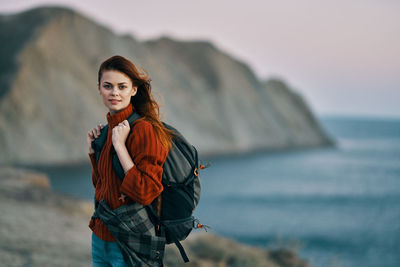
(116, 90)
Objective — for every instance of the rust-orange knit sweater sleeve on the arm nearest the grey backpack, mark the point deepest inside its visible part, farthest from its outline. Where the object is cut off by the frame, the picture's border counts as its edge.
(142, 182)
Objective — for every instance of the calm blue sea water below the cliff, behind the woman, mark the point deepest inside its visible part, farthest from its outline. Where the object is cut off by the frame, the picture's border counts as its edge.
(336, 206)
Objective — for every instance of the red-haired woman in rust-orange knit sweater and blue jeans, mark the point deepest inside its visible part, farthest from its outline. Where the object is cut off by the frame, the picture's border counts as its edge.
(141, 153)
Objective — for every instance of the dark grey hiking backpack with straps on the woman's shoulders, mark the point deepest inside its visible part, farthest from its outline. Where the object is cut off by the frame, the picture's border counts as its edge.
(181, 182)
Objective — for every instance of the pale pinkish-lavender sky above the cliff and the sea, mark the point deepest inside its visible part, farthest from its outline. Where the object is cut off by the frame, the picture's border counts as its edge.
(342, 56)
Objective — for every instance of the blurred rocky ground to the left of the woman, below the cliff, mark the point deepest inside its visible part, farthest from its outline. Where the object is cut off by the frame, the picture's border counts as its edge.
(36, 228)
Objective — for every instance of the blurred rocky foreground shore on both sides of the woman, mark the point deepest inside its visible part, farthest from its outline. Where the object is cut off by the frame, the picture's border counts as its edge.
(41, 227)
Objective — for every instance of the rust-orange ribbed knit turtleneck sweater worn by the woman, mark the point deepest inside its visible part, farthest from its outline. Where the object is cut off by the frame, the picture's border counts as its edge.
(142, 183)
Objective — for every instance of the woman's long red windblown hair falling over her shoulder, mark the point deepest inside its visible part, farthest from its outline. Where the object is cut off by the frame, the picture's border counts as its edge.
(143, 101)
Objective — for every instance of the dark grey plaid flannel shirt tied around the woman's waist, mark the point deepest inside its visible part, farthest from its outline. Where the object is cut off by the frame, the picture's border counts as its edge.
(134, 233)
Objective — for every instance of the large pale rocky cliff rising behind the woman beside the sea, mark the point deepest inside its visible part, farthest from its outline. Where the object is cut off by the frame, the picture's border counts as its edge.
(49, 97)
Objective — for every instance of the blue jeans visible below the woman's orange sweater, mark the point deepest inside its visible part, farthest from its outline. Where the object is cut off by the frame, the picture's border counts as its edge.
(106, 253)
